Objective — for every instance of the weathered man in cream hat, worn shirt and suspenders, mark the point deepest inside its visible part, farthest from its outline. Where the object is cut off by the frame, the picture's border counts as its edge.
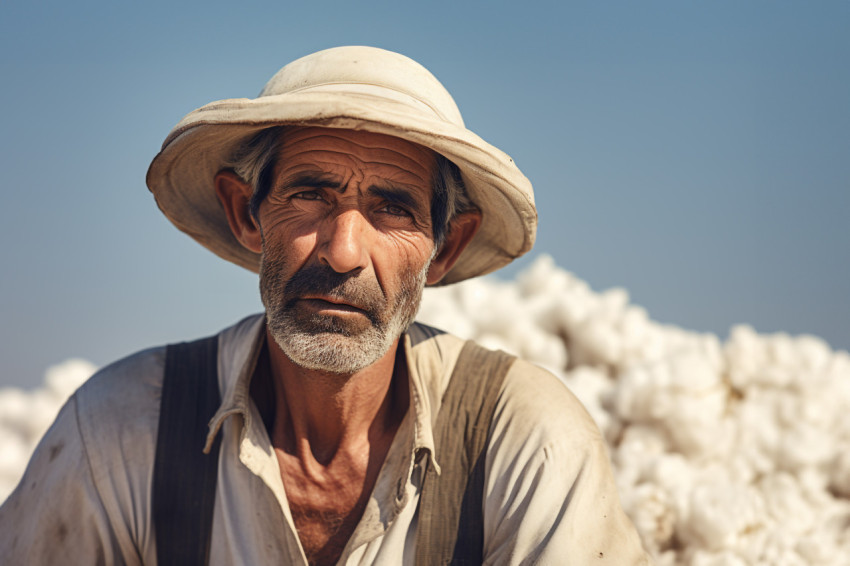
(349, 184)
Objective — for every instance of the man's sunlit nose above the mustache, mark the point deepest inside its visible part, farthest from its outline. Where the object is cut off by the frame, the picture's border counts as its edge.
(342, 244)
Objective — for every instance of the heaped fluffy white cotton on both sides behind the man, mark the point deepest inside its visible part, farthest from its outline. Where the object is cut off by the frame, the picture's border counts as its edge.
(728, 453)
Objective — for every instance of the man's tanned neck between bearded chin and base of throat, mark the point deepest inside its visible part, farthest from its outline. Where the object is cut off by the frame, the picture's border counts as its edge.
(318, 414)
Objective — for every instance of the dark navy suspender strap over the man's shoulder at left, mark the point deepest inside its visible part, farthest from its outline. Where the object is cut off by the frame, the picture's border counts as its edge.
(184, 477)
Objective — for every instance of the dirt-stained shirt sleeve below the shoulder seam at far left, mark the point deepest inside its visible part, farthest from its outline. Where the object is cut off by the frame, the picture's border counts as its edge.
(55, 515)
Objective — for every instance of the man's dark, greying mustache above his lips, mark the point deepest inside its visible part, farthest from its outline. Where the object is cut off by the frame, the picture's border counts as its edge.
(361, 292)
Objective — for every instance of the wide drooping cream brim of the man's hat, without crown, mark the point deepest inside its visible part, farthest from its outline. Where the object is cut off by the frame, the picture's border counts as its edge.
(181, 176)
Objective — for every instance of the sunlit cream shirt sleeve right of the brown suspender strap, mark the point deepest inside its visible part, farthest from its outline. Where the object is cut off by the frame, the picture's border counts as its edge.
(550, 496)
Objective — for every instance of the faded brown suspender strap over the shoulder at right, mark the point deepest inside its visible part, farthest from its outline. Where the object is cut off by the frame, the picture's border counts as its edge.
(451, 522)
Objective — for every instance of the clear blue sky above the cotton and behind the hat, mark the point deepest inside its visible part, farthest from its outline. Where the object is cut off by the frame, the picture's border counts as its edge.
(695, 153)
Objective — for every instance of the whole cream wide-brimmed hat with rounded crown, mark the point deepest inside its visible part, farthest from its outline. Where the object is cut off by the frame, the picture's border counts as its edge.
(356, 88)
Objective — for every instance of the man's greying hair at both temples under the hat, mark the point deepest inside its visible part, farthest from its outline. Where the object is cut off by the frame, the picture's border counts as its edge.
(255, 158)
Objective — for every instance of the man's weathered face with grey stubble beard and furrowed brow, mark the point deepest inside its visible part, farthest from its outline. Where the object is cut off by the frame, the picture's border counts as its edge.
(347, 242)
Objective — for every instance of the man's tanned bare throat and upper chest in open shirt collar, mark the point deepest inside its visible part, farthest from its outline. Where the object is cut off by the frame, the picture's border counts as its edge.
(330, 448)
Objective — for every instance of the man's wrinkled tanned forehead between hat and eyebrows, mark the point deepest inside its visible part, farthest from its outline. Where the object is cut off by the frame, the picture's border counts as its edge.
(339, 150)
